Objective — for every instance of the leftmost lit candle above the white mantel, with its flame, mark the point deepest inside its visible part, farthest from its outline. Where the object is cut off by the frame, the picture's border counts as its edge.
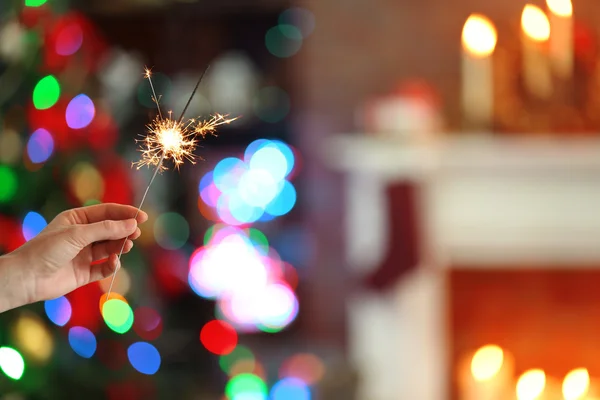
(479, 39)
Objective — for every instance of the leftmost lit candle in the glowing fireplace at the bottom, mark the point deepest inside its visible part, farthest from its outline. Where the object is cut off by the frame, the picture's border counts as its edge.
(486, 375)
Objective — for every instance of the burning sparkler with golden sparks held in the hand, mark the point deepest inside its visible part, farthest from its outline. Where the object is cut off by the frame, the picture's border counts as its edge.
(169, 139)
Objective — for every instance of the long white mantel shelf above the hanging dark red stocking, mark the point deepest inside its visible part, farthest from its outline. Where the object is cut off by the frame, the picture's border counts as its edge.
(367, 154)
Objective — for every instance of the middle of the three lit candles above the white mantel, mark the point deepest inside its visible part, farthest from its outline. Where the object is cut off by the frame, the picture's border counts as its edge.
(537, 76)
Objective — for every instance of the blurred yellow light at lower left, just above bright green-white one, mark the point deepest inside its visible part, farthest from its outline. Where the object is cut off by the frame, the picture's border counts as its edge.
(33, 337)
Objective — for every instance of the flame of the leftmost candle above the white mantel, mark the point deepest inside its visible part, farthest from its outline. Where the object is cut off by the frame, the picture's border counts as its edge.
(479, 36)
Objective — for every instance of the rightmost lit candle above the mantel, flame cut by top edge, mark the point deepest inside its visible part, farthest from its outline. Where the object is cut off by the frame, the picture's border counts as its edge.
(561, 39)
